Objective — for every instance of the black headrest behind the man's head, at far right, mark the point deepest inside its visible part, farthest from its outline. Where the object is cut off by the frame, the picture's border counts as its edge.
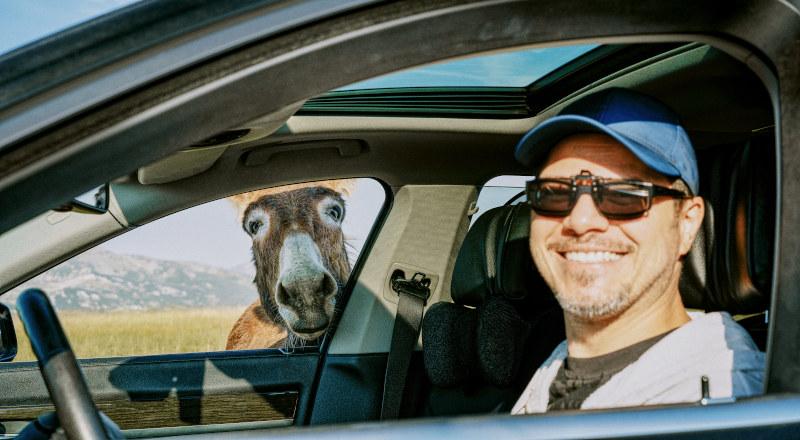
(730, 265)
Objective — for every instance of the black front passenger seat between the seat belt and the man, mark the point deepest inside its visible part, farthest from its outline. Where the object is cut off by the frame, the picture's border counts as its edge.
(481, 350)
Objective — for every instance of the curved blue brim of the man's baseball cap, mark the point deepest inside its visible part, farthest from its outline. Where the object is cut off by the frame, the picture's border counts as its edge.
(535, 146)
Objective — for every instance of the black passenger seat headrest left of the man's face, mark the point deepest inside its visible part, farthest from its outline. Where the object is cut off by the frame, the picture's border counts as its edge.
(495, 258)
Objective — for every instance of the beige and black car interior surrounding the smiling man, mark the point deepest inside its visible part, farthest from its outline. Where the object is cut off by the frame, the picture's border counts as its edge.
(490, 319)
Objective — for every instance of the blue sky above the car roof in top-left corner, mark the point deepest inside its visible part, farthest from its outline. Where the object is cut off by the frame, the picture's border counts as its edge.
(23, 22)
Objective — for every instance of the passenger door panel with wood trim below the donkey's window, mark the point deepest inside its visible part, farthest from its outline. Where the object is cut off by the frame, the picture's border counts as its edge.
(266, 387)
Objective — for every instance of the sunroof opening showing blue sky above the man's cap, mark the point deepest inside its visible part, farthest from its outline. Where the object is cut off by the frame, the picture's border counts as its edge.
(509, 69)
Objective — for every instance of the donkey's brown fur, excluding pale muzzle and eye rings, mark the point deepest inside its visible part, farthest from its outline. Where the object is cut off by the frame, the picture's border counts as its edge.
(261, 326)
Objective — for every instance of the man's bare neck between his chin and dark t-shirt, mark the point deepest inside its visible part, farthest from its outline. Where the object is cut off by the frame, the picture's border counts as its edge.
(643, 320)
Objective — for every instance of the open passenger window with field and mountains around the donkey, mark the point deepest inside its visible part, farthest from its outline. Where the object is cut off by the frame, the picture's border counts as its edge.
(180, 283)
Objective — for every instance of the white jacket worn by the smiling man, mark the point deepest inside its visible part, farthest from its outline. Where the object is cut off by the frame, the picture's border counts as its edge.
(711, 345)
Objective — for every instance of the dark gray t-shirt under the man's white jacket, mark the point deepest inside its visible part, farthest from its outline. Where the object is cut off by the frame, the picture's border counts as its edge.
(580, 377)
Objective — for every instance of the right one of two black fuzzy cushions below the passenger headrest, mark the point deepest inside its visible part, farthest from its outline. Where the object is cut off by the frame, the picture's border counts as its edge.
(501, 341)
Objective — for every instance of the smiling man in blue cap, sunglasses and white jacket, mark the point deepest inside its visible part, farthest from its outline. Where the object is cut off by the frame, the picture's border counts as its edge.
(615, 210)
